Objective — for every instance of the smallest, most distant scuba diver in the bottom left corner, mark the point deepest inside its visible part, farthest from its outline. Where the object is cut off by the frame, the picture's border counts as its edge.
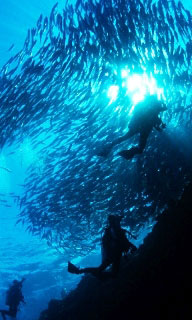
(14, 297)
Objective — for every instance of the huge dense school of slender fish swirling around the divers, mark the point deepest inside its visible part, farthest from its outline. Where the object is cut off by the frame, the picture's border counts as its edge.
(54, 91)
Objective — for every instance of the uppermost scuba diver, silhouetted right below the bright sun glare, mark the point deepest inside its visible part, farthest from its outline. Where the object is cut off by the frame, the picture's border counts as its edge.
(145, 117)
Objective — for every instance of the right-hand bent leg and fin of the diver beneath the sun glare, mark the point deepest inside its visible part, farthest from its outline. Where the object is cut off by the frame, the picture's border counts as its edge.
(129, 154)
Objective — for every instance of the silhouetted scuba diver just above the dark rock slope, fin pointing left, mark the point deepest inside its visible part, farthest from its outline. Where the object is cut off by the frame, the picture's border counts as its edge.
(114, 244)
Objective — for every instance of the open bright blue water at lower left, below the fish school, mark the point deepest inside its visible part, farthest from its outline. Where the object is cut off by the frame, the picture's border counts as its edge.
(24, 255)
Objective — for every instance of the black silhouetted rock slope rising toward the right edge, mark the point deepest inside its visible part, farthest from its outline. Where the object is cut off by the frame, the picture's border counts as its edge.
(155, 283)
